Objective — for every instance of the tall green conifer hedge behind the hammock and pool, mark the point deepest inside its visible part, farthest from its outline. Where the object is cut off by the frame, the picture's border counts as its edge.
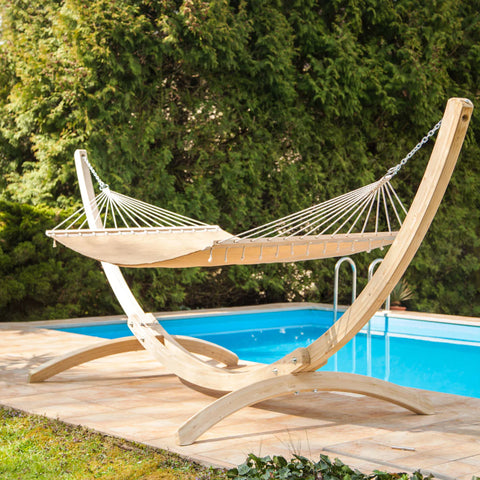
(239, 112)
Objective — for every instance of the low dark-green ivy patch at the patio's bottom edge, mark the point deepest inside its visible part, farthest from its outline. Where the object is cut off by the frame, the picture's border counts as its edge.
(278, 468)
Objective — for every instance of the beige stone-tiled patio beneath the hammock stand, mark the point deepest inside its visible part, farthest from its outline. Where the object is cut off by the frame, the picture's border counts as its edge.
(133, 397)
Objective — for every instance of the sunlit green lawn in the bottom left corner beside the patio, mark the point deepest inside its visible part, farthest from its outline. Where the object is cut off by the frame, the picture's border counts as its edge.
(35, 447)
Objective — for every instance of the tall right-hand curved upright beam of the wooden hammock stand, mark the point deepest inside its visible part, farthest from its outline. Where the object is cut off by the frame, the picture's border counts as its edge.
(420, 215)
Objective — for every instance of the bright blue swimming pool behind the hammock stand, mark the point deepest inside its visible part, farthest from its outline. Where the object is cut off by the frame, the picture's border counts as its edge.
(431, 355)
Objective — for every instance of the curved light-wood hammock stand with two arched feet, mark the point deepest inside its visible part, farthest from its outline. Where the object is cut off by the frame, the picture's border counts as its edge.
(297, 371)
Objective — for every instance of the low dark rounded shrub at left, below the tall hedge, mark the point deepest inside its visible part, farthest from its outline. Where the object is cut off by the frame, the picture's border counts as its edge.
(39, 282)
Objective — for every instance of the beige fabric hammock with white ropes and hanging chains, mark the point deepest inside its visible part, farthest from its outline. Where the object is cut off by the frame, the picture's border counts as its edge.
(132, 233)
